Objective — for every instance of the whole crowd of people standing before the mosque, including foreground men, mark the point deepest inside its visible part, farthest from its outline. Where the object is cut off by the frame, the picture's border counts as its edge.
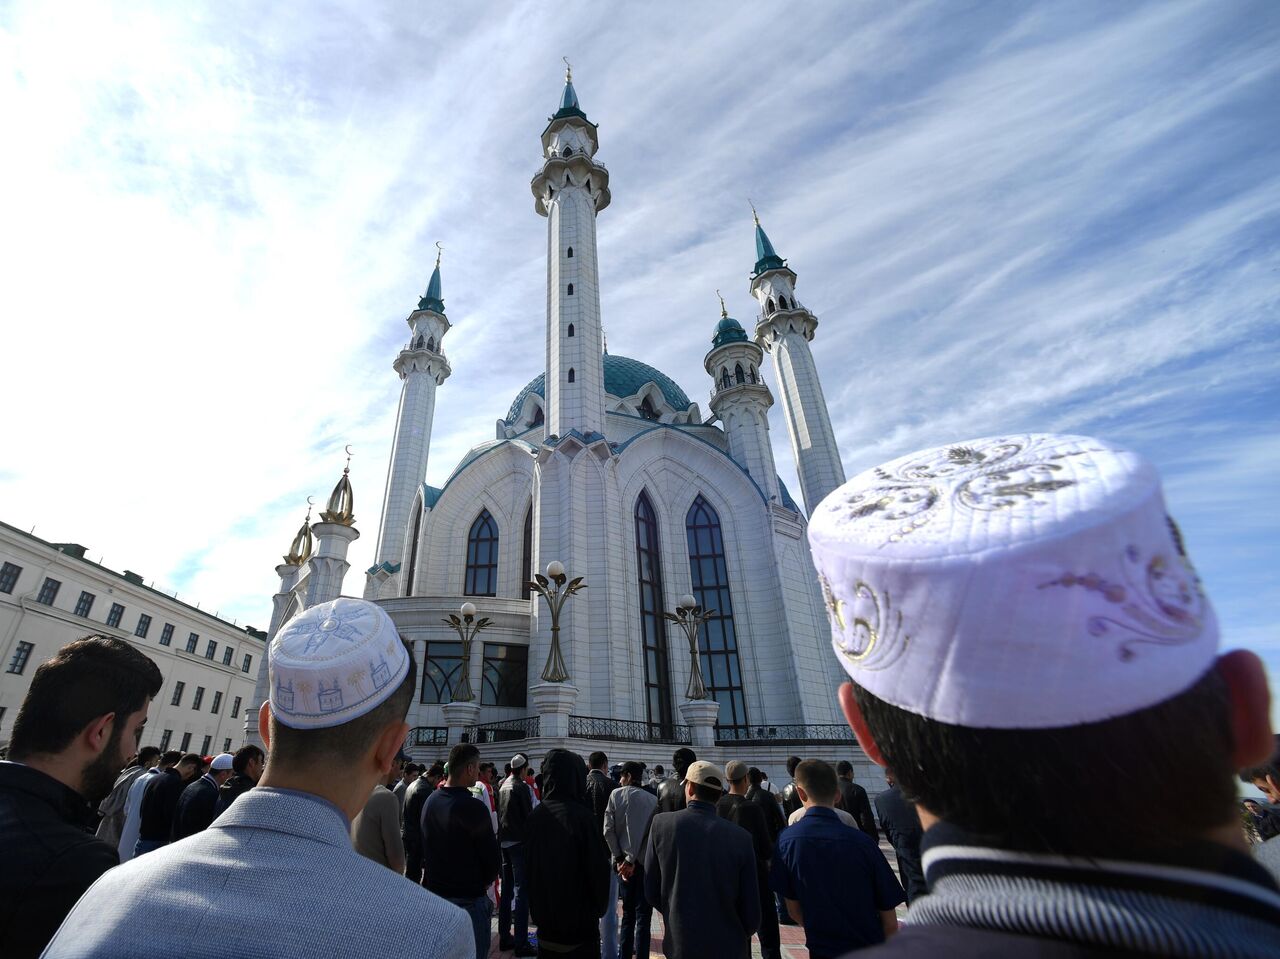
(1026, 670)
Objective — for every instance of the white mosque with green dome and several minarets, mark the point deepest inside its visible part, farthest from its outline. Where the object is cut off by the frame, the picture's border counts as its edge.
(606, 467)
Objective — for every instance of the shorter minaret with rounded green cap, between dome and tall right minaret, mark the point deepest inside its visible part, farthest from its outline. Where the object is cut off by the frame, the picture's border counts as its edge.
(742, 401)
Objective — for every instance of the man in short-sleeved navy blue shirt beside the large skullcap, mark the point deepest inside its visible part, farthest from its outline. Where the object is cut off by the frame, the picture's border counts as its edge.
(834, 879)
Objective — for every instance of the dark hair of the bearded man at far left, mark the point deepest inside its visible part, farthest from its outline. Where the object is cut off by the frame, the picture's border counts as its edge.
(85, 681)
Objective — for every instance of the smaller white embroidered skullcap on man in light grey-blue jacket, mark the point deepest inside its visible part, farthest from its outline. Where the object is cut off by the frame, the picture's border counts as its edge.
(335, 663)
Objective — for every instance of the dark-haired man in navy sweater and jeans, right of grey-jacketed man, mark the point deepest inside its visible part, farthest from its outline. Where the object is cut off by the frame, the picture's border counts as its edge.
(460, 851)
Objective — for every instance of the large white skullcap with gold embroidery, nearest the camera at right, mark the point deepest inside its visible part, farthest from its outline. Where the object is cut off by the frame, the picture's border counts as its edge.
(1022, 582)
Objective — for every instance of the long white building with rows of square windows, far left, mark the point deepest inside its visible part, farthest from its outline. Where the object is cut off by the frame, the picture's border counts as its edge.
(51, 595)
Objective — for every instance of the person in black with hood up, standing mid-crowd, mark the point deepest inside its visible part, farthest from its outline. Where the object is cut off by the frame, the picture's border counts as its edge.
(568, 864)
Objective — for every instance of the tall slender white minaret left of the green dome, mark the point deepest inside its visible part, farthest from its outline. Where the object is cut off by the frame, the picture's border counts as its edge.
(422, 368)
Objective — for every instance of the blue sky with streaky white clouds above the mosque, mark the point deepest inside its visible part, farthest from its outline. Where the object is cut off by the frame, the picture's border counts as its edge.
(1008, 217)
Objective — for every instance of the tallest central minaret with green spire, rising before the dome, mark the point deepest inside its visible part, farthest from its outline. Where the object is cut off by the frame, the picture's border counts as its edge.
(570, 190)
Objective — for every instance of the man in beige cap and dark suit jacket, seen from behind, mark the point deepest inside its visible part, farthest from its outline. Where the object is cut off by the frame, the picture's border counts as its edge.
(700, 873)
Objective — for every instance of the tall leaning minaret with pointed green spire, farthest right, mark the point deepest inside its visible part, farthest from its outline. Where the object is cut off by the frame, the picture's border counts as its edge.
(785, 330)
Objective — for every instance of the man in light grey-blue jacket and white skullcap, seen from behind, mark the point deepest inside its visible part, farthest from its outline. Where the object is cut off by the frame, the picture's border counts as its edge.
(277, 876)
